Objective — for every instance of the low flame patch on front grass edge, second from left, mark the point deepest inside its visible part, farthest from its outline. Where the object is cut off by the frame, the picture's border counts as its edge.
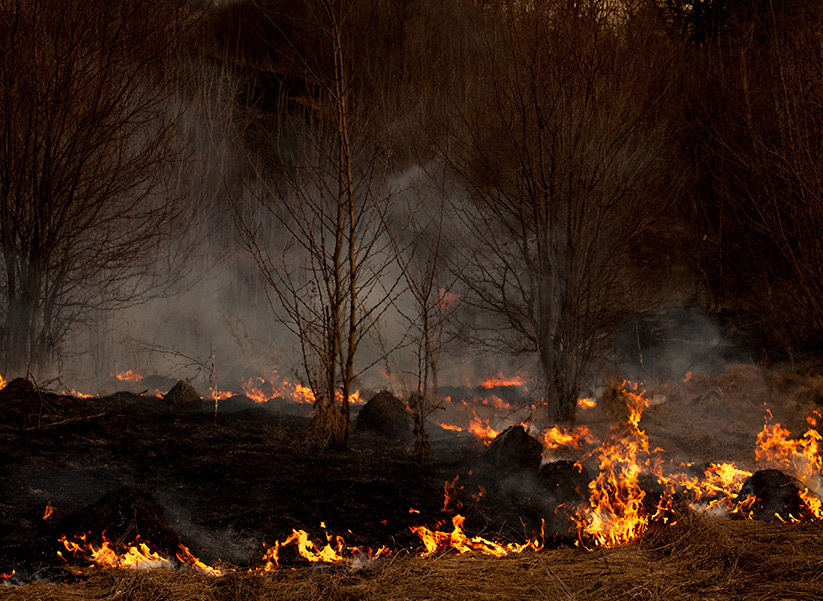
(334, 551)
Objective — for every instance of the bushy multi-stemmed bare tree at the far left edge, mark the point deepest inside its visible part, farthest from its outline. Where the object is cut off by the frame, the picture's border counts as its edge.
(86, 153)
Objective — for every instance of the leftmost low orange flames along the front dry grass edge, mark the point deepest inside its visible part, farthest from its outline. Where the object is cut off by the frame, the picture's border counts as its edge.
(135, 555)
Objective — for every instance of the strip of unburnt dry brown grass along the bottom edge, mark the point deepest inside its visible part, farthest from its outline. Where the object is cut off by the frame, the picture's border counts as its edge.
(698, 558)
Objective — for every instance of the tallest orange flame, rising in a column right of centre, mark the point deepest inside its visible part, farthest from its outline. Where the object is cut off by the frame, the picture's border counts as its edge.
(617, 512)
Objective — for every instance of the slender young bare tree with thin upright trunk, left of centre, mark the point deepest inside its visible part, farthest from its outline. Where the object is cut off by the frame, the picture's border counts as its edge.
(324, 198)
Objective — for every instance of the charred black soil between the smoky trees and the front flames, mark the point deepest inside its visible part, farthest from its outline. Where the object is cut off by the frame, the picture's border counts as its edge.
(230, 482)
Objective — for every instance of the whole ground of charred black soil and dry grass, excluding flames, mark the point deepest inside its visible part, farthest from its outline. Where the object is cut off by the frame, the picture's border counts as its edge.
(229, 483)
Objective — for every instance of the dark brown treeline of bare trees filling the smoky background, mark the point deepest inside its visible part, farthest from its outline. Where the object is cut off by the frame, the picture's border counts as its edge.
(557, 167)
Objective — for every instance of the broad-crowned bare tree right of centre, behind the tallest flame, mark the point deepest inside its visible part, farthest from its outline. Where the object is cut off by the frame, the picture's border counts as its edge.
(560, 160)
